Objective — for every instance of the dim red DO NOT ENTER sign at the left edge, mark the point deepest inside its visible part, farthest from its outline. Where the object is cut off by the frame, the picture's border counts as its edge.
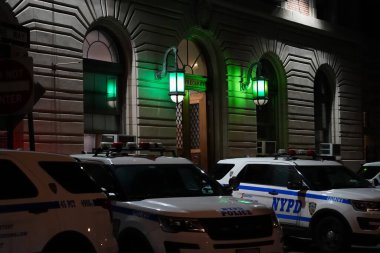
(16, 87)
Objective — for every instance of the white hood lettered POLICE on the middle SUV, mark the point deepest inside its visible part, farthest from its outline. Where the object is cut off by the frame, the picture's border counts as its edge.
(197, 207)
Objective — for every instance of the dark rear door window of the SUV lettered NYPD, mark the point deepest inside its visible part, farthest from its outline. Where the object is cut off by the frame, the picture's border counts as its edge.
(256, 174)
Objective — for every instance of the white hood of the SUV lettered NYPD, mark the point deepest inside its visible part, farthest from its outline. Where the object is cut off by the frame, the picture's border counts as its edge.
(370, 194)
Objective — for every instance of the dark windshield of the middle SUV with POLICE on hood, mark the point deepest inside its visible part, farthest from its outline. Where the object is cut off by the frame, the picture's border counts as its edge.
(164, 181)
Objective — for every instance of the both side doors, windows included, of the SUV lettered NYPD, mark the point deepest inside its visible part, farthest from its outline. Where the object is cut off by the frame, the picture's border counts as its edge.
(267, 183)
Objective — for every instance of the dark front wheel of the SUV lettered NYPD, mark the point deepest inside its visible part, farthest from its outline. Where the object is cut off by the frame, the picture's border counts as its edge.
(331, 235)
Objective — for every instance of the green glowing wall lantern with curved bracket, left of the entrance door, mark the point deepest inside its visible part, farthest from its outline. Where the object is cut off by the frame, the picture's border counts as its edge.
(176, 77)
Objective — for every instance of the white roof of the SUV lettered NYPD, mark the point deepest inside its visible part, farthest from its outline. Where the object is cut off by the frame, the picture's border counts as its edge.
(282, 160)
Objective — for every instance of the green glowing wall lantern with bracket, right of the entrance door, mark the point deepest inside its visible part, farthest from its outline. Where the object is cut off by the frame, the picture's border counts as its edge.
(258, 84)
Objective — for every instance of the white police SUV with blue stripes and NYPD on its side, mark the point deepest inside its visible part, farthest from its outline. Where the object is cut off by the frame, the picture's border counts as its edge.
(319, 199)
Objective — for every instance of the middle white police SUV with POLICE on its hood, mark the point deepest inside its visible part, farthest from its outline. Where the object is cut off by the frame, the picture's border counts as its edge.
(165, 204)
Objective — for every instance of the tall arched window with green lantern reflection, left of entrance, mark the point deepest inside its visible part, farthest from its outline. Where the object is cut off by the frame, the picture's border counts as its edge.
(102, 88)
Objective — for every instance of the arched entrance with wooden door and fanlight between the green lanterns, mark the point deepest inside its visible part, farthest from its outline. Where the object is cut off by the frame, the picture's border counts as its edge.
(193, 139)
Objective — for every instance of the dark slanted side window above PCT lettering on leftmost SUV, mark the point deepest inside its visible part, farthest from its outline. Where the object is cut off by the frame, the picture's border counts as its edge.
(71, 176)
